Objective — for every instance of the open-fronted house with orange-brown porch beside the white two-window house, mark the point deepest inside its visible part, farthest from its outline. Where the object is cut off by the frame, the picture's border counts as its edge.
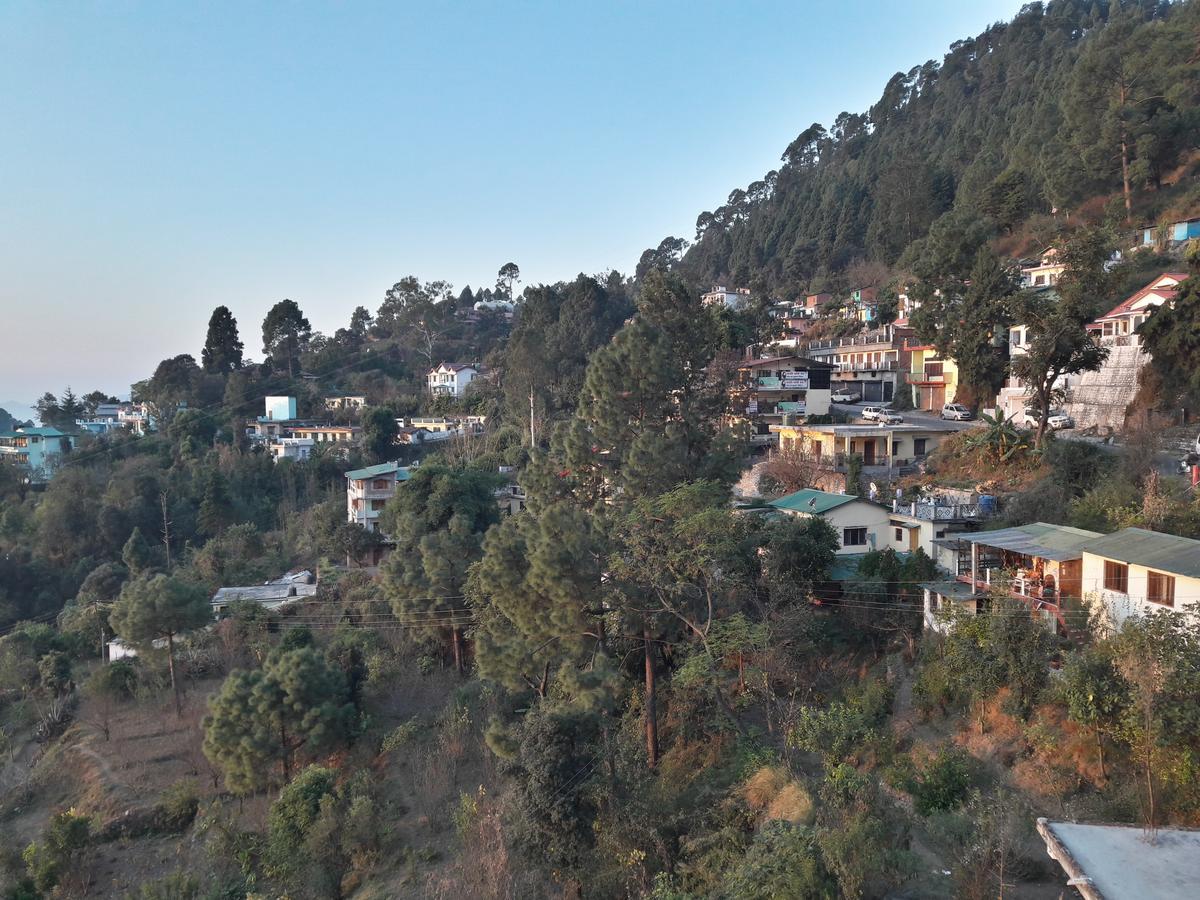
(1040, 565)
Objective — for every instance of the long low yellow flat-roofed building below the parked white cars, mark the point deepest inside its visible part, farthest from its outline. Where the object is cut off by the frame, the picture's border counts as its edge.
(884, 446)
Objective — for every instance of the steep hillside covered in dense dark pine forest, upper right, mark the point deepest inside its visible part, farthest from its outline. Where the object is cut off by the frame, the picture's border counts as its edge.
(1073, 109)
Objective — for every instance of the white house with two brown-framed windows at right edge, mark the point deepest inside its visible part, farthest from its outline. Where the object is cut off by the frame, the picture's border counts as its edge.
(1136, 572)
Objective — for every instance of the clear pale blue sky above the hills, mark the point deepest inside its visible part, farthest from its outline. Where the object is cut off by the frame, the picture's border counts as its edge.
(159, 160)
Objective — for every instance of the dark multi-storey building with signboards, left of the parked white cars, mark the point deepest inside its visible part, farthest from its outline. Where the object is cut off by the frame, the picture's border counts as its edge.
(782, 389)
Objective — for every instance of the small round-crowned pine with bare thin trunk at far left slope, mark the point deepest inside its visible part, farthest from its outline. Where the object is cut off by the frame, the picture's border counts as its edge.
(160, 608)
